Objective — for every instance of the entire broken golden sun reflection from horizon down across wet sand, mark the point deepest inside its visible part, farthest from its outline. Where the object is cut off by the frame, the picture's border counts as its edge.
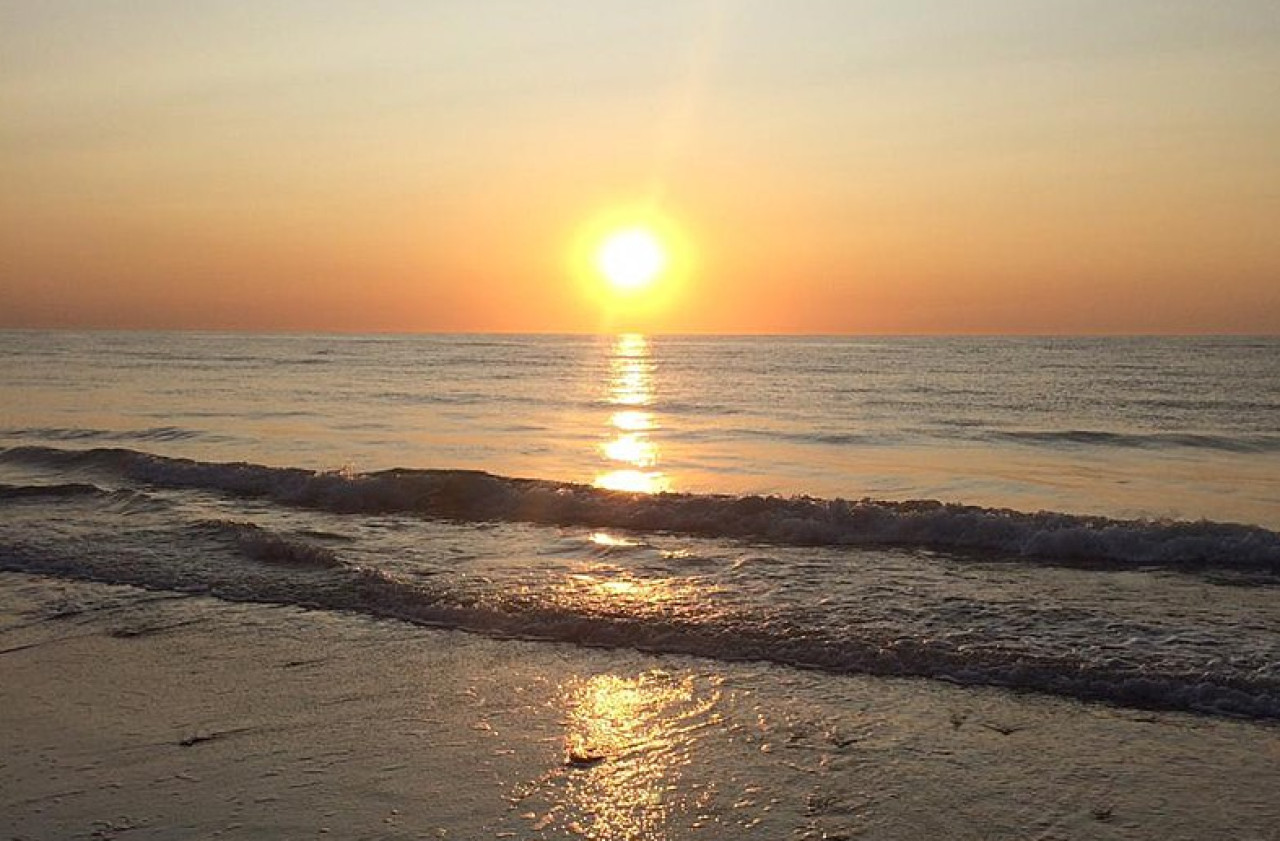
(628, 738)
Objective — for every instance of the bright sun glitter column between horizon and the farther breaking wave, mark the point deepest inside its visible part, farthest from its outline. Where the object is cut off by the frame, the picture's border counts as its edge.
(632, 453)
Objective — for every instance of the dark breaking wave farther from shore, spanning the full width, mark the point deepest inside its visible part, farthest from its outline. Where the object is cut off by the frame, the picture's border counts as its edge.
(477, 496)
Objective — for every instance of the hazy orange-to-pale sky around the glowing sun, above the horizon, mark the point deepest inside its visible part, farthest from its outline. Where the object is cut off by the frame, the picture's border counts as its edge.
(863, 167)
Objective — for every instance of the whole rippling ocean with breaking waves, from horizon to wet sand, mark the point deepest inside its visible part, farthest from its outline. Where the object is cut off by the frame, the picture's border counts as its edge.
(1092, 519)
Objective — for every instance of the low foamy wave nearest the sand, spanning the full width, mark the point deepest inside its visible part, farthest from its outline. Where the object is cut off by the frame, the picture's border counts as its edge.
(853, 650)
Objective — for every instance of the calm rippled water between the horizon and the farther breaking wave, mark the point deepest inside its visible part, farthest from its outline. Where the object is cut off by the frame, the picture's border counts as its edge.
(1185, 428)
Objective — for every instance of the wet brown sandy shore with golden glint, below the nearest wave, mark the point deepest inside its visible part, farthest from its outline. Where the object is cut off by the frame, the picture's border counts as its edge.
(131, 715)
